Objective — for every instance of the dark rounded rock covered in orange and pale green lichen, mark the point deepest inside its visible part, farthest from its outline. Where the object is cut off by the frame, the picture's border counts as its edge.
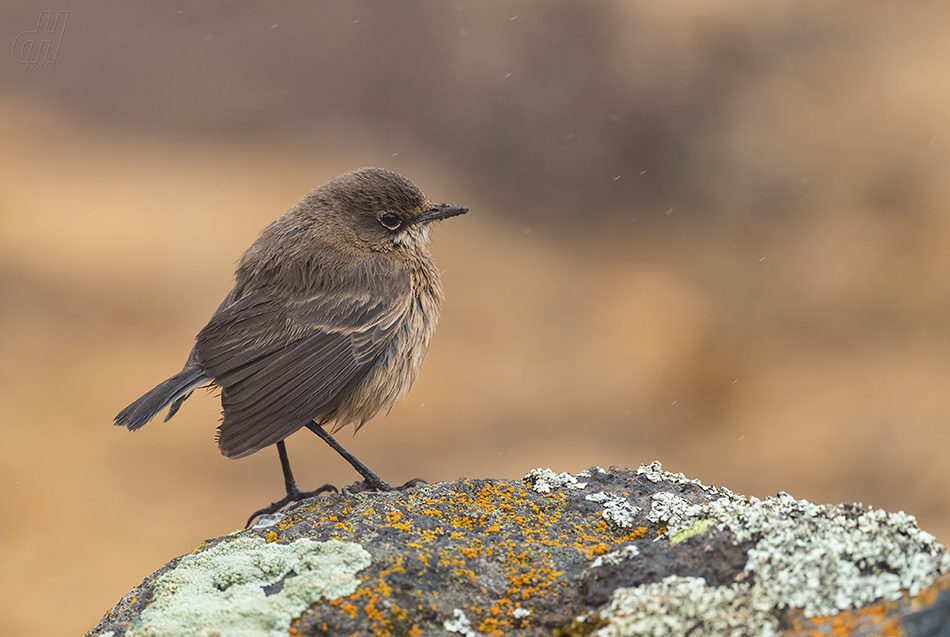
(611, 553)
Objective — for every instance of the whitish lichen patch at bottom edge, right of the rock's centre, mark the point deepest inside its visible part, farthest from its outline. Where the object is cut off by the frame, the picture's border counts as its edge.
(681, 606)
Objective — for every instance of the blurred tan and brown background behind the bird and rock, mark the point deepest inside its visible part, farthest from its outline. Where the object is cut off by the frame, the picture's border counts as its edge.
(713, 234)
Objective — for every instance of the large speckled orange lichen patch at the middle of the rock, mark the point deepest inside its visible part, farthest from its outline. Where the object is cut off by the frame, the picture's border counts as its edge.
(499, 521)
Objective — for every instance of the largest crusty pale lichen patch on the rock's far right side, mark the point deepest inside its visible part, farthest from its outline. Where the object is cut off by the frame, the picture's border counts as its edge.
(820, 558)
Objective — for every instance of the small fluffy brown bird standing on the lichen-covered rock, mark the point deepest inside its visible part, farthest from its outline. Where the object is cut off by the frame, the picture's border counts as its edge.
(330, 317)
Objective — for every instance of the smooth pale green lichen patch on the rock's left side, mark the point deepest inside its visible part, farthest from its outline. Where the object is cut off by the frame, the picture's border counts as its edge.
(249, 587)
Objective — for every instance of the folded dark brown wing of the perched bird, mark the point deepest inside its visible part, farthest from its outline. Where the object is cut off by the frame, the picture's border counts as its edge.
(282, 362)
